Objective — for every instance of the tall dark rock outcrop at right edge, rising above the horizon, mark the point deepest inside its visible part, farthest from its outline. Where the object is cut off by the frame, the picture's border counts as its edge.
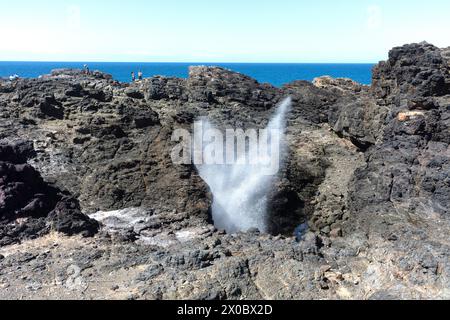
(408, 167)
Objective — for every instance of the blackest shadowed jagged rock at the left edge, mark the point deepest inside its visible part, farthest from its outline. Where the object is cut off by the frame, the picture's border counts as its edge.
(29, 207)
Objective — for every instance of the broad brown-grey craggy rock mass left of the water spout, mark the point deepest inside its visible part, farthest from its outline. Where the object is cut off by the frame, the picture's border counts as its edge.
(106, 145)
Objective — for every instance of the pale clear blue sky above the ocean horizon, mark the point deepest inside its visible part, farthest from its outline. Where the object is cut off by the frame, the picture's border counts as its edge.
(217, 30)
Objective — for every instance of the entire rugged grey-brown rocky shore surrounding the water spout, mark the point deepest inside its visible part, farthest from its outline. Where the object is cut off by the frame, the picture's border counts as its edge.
(367, 180)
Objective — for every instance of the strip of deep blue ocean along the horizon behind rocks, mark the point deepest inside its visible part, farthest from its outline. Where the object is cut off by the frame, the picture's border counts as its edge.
(276, 74)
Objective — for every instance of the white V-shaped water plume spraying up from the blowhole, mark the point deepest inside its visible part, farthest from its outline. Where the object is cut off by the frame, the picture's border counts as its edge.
(241, 190)
